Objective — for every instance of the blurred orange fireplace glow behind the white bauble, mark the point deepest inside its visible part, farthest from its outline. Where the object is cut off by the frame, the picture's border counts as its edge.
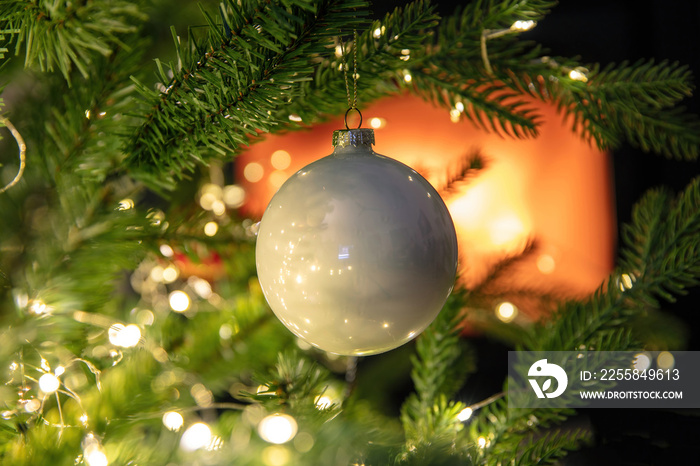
(554, 189)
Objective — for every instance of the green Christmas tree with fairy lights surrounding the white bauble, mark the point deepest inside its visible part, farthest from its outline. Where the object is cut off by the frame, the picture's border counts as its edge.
(134, 328)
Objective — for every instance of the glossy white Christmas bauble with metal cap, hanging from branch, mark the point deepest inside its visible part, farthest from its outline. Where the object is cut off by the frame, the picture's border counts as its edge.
(356, 253)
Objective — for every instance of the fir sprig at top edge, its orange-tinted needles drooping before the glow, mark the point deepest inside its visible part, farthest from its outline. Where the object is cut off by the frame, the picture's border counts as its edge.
(450, 72)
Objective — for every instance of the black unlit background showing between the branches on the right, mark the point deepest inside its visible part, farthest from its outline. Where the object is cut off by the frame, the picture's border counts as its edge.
(604, 32)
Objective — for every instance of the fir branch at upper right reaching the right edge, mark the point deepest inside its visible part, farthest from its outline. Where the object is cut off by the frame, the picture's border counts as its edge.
(621, 102)
